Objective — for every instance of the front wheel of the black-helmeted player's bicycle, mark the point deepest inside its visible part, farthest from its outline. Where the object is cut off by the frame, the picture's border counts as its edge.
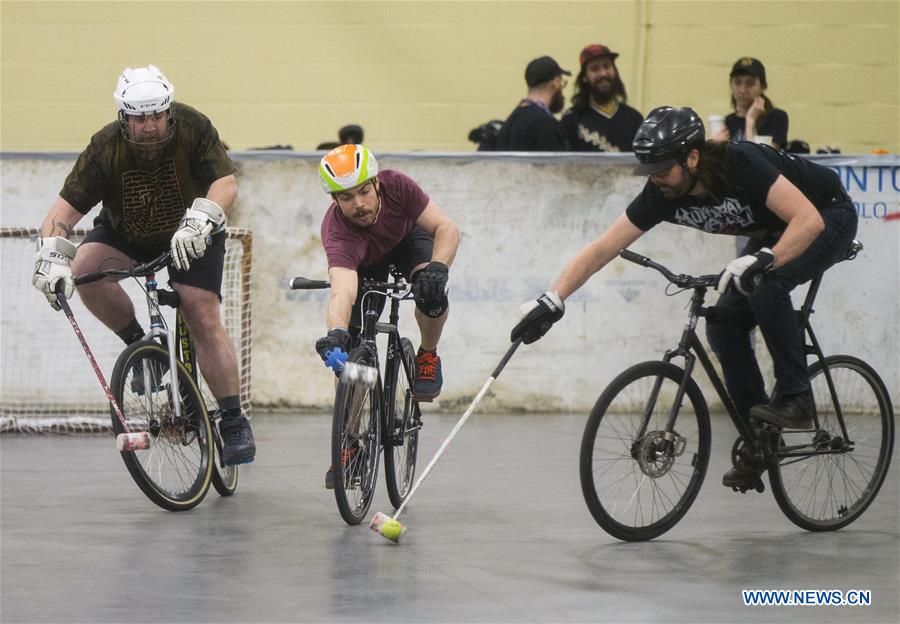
(637, 488)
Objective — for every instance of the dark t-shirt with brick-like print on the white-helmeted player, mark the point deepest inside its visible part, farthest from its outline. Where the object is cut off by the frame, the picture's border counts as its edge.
(144, 204)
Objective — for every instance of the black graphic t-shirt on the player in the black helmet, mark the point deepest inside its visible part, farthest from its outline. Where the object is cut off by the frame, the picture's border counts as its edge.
(751, 171)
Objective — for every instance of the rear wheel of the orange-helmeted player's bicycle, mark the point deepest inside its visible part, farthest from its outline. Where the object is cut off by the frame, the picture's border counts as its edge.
(401, 438)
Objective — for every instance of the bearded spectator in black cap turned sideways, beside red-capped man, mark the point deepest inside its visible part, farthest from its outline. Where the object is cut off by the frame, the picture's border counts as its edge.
(532, 127)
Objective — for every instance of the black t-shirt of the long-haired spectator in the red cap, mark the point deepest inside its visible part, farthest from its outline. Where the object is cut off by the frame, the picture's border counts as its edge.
(591, 130)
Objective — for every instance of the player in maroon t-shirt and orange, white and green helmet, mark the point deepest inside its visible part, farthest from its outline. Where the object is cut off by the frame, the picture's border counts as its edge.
(378, 218)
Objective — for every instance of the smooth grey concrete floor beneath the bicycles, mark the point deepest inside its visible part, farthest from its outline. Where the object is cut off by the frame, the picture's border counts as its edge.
(498, 533)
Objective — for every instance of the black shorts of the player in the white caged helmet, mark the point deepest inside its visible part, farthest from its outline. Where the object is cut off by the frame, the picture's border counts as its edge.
(205, 272)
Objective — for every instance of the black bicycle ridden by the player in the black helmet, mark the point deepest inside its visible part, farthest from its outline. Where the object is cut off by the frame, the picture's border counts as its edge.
(646, 444)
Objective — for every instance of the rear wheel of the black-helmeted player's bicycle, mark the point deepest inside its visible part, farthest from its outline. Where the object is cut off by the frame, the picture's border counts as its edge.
(827, 490)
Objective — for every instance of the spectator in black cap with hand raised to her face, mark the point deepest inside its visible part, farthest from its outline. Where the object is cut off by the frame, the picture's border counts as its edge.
(754, 114)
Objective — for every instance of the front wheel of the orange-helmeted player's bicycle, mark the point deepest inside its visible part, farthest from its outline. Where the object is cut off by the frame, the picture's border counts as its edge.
(356, 437)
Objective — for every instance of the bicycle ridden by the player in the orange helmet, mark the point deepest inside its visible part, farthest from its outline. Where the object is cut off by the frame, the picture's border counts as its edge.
(375, 416)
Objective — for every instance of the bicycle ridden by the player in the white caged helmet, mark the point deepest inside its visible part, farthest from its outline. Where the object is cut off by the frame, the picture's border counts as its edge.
(181, 455)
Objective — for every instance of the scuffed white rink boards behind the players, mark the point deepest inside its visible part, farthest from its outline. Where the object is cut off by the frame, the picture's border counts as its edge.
(521, 218)
